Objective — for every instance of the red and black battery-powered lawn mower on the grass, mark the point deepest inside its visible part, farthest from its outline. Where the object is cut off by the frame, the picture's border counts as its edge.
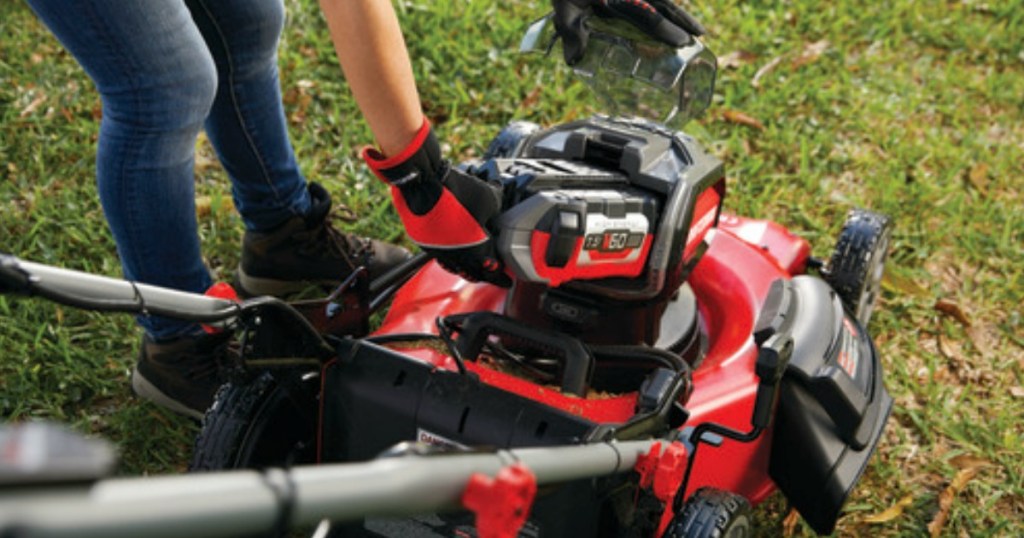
(657, 367)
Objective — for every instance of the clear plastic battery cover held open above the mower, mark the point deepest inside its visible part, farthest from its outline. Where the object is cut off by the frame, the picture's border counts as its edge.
(634, 75)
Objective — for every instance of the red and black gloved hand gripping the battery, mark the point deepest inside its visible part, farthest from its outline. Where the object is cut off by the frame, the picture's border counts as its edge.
(445, 211)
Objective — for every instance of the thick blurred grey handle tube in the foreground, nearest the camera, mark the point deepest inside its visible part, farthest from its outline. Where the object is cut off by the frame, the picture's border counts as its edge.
(251, 503)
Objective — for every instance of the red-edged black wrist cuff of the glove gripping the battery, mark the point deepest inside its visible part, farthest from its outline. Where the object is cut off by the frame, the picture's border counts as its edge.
(421, 159)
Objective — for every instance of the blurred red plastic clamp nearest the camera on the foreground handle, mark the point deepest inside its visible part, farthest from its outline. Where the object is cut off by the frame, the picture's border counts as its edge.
(502, 504)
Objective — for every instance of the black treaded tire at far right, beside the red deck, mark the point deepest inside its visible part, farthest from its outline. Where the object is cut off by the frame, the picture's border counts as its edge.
(859, 262)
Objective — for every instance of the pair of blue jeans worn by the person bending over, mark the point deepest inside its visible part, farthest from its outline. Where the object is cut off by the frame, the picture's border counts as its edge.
(165, 69)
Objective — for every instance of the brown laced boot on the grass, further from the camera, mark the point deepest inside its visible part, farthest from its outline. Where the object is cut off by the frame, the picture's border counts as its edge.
(310, 252)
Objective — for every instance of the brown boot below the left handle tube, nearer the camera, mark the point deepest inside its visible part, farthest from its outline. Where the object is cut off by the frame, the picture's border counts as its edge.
(183, 375)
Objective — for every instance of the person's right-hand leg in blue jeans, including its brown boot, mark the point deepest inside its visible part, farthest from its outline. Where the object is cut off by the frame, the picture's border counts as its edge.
(289, 241)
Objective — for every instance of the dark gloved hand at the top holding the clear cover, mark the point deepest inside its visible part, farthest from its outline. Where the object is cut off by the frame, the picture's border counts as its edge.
(662, 20)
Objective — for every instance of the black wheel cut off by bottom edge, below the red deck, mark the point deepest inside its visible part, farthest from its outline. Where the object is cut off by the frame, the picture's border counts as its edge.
(712, 514)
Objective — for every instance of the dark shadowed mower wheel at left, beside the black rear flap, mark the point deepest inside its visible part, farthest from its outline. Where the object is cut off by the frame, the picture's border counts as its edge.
(270, 422)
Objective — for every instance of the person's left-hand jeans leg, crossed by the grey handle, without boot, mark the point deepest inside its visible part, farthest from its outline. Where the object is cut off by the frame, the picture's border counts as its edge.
(158, 81)
